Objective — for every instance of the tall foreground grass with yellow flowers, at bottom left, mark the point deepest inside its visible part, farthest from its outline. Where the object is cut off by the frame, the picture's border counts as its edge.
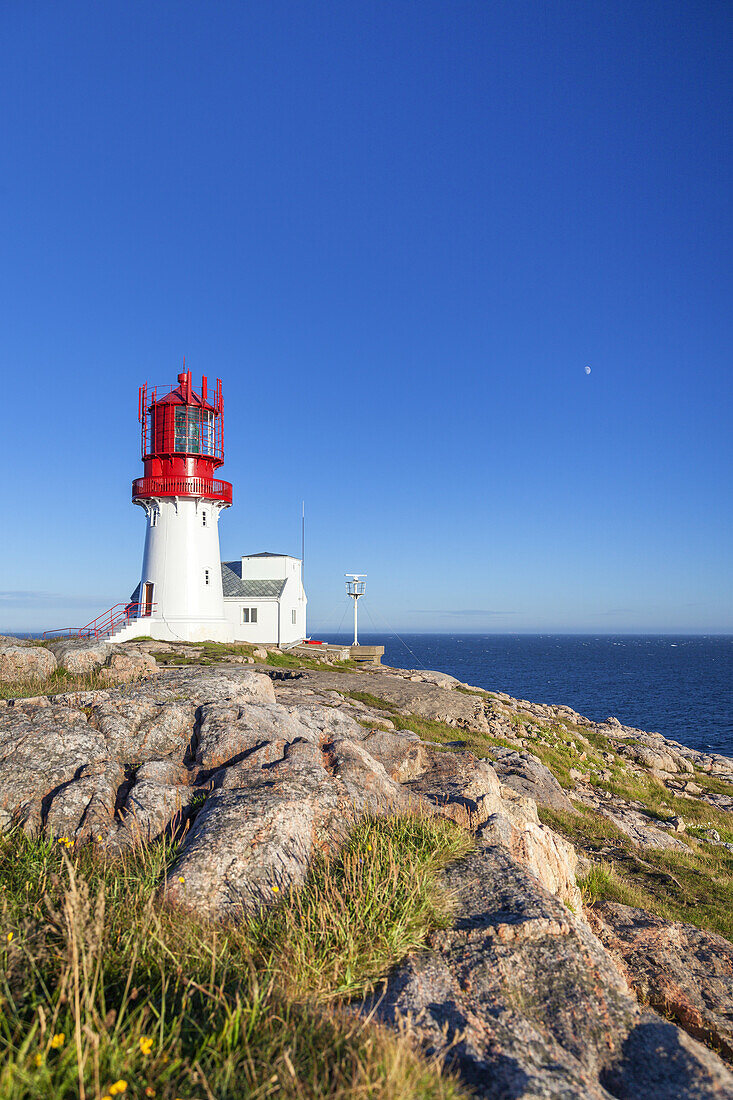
(101, 984)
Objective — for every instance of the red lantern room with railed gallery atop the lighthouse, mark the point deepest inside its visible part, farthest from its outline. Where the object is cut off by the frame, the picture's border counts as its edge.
(182, 443)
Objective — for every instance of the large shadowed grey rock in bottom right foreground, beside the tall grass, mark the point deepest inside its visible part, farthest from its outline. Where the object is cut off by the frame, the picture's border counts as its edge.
(524, 1003)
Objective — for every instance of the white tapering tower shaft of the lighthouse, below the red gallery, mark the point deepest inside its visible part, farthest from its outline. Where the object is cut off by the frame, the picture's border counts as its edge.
(180, 548)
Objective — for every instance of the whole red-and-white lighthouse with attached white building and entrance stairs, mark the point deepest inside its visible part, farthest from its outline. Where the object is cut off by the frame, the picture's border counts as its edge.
(187, 593)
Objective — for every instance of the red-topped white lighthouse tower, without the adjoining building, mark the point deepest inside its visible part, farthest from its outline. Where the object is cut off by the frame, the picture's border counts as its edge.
(181, 595)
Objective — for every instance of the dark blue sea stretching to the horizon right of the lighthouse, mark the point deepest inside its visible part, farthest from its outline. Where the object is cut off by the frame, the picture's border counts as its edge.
(681, 687)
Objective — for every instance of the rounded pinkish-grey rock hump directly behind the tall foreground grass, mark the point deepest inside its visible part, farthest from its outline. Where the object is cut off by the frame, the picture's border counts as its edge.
(276, 805)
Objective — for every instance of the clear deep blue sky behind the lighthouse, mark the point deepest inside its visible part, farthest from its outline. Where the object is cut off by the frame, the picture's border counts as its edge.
(399, 233)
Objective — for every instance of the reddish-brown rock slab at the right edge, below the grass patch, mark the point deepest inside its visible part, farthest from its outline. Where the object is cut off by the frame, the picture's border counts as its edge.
(681, 971)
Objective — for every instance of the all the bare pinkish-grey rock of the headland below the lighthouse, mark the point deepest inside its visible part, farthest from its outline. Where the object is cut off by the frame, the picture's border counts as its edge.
(256, 779)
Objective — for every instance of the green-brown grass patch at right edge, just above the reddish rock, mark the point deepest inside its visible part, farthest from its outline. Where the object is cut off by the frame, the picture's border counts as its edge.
(695, 885)
